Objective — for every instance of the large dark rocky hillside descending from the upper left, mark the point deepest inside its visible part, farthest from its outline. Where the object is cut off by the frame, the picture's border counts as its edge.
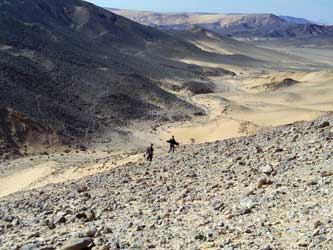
(76, 68)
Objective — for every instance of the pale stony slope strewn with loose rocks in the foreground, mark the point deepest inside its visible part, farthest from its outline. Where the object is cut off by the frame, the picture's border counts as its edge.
(272, 190)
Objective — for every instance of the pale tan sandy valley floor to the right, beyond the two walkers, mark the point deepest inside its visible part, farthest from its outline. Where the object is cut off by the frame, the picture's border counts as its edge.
(245, 107)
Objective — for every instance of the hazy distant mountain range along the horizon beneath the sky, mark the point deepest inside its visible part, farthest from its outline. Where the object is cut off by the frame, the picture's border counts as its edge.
(239, 25)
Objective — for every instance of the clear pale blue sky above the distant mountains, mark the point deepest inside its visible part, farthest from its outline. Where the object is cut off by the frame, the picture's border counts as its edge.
(314, 10)
